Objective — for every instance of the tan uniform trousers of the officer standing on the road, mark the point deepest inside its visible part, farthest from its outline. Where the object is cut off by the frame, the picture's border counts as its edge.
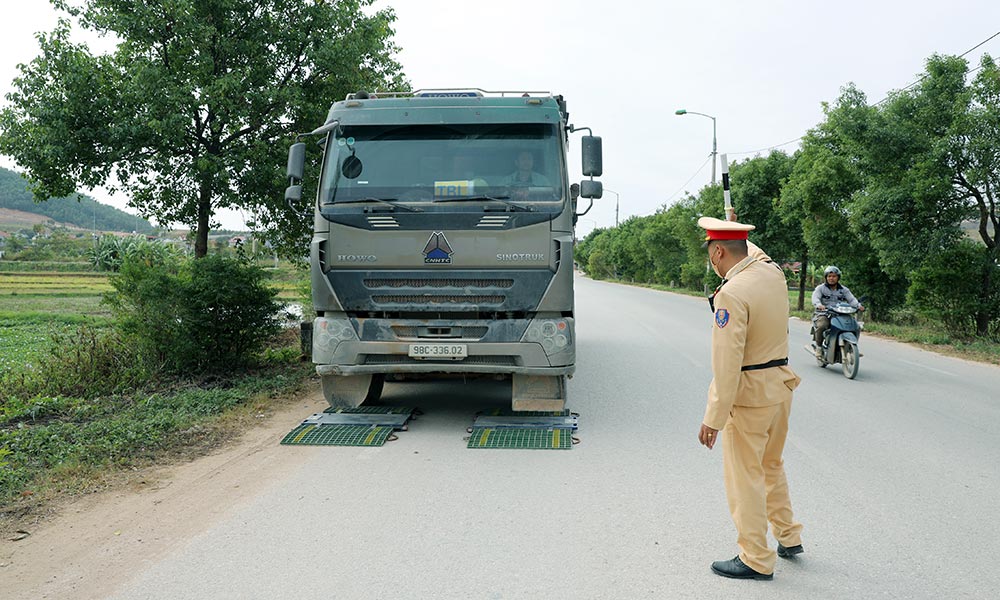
(753, 440)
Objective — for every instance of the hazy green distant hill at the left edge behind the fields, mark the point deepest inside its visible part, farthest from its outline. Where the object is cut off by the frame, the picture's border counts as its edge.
(86, 213)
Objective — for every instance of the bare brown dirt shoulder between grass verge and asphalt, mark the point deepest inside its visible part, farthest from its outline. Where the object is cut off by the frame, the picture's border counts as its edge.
(89, 546)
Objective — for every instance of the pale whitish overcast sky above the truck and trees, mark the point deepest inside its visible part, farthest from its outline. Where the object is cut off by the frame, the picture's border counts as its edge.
(762, 68)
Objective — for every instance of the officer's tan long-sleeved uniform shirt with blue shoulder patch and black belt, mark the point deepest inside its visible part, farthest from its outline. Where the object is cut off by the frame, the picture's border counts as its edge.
(750, 327)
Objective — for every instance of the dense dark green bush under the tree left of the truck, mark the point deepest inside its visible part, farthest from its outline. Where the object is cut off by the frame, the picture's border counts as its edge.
(204, 315)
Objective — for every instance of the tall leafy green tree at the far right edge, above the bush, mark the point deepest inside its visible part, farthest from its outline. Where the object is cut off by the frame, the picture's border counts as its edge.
(929, 161)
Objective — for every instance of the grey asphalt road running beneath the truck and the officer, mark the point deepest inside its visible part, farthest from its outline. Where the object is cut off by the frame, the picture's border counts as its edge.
(894, 475)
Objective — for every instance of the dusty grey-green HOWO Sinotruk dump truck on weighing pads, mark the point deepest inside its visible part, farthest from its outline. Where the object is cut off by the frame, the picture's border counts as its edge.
(443, 241)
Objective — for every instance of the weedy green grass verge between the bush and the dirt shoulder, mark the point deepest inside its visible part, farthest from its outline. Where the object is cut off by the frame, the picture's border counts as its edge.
(56, 443)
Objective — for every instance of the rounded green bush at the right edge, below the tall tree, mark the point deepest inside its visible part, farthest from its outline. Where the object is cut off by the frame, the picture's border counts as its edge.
(949, 287)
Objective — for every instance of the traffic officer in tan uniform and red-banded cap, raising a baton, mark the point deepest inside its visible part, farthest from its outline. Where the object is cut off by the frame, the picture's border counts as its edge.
(750, 397)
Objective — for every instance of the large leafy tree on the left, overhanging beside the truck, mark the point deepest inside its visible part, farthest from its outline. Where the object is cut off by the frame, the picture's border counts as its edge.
(194, 109)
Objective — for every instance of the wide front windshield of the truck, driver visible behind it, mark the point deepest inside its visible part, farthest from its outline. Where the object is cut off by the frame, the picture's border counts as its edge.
(426, 163)
